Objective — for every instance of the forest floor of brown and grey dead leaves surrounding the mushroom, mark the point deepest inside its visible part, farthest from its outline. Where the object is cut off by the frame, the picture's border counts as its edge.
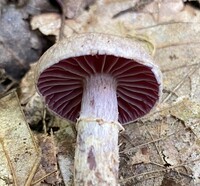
(160, 149)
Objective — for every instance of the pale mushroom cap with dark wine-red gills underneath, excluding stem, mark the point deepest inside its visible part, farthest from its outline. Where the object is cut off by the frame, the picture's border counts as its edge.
(61, 72)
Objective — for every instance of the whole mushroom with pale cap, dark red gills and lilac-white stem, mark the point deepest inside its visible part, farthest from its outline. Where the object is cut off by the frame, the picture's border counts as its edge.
(100, 82)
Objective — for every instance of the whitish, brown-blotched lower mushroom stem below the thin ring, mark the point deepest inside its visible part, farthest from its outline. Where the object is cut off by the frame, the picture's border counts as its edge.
(97, 154)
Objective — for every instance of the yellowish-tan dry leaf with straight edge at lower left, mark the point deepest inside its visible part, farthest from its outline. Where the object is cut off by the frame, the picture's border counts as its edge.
(19, 155)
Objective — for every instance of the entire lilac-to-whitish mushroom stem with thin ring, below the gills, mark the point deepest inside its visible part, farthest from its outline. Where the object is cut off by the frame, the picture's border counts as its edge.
(97, 152)
